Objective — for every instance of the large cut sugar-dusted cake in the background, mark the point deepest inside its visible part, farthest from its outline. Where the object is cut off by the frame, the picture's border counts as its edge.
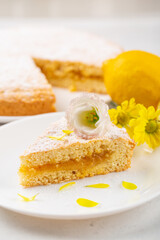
(65, 58)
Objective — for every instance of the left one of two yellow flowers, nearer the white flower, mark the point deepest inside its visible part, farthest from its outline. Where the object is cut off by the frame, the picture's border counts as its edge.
(124, 113)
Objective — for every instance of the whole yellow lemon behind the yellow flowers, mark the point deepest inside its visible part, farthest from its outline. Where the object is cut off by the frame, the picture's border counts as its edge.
(133, 74)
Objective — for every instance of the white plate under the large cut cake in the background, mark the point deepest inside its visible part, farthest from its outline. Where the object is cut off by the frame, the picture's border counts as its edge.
(63, 97)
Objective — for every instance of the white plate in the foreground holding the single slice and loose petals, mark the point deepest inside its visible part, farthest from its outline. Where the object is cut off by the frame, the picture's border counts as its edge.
(14, 138)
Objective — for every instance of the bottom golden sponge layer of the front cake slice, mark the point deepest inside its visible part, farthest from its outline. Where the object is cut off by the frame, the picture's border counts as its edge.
(35, 177)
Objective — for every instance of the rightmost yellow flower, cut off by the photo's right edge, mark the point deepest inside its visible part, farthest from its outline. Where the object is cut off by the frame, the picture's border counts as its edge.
(146, 128)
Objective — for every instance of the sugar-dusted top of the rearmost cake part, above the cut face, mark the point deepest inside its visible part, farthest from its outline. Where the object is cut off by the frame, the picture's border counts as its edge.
(58, 44)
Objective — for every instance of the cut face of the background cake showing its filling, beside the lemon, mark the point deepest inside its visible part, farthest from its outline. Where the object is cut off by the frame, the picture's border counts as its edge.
(75, 76)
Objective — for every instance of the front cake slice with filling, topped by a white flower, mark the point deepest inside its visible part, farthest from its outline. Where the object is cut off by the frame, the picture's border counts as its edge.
(82, 144)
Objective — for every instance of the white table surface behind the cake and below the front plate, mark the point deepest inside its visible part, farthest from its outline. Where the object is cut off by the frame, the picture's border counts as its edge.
(137, 224)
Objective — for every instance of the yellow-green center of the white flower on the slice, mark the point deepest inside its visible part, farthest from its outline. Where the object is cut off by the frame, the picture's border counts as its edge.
(89, 118)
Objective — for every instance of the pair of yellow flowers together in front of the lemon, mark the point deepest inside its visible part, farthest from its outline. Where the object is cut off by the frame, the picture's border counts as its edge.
(141, 123)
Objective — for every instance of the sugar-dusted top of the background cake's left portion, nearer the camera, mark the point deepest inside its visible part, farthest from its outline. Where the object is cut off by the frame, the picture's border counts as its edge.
(20, 74)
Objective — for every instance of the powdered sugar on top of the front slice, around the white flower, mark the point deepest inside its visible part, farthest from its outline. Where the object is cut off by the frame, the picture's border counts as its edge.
(44, 143)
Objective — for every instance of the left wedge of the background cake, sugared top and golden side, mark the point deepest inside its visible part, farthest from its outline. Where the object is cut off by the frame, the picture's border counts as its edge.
(24, 90)
